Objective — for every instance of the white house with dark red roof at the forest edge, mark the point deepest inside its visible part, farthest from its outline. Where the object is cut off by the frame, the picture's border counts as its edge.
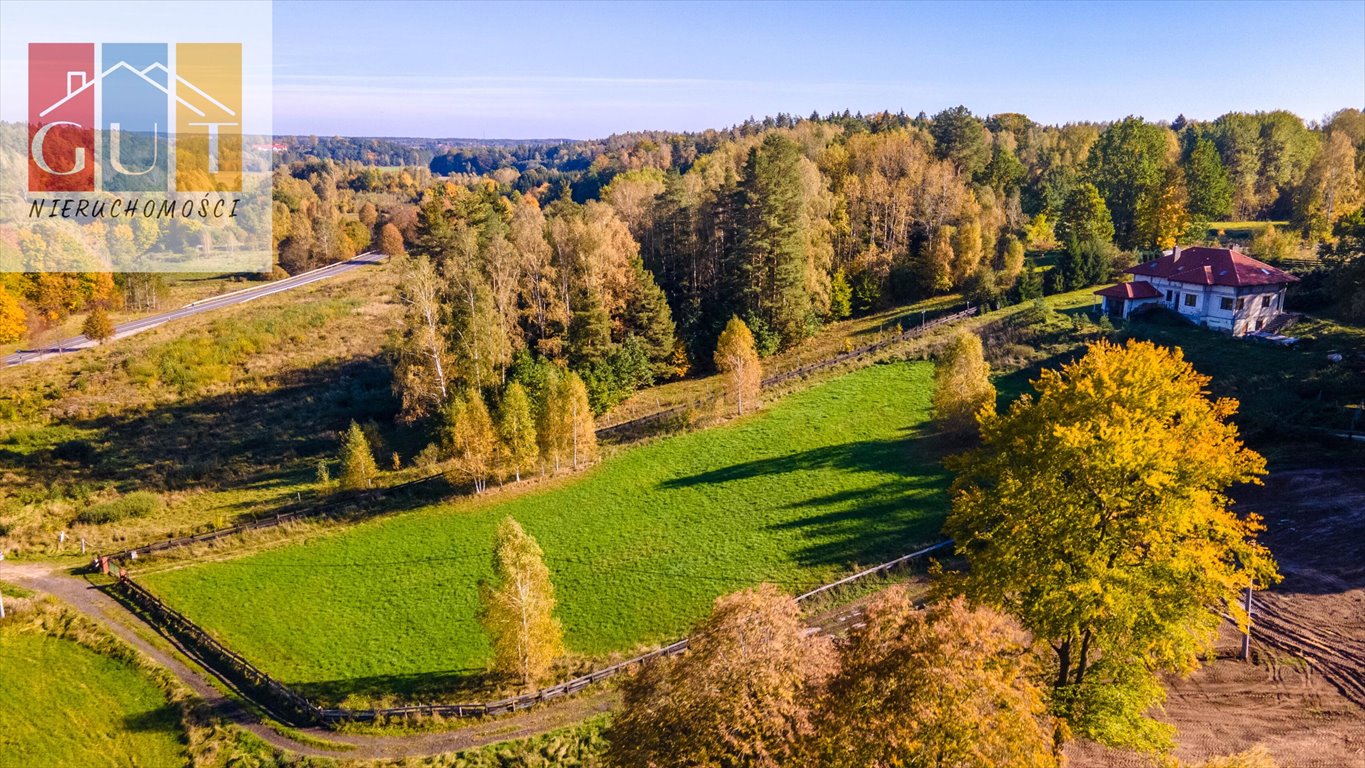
(1220, 289)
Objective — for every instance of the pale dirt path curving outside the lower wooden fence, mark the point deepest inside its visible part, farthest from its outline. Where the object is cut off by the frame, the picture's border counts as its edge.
(94, 604)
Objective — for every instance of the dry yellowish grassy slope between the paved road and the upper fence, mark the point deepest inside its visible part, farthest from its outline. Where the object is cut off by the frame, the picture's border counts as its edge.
(227, 413)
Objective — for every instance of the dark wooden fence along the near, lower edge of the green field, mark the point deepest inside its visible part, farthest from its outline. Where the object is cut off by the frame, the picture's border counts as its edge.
(293, 707)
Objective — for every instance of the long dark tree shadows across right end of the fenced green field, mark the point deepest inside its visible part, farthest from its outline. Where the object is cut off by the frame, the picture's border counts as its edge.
(861, 526)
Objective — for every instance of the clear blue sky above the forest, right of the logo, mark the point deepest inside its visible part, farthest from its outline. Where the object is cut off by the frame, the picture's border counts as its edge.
(589, 70)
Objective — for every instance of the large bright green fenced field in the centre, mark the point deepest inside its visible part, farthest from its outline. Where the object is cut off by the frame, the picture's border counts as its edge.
(638, 548)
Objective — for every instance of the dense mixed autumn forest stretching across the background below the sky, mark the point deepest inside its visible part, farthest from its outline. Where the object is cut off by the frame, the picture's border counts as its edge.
(623, 259)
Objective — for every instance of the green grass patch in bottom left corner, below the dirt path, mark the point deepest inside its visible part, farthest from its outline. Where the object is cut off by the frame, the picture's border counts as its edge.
(62, 706)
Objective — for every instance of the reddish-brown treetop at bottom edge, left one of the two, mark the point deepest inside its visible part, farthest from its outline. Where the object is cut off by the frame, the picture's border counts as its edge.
(743, 695)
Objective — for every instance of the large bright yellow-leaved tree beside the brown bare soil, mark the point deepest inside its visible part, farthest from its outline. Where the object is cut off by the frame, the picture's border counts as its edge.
(1097, 514)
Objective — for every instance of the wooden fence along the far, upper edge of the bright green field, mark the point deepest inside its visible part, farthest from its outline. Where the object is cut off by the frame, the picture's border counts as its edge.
(302, 511)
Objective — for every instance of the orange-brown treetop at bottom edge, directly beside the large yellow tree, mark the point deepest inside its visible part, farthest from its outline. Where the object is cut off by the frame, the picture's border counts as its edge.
(949, 685)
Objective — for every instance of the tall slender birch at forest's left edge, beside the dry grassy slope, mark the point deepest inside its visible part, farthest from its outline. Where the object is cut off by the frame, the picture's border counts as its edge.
(421, 353)
